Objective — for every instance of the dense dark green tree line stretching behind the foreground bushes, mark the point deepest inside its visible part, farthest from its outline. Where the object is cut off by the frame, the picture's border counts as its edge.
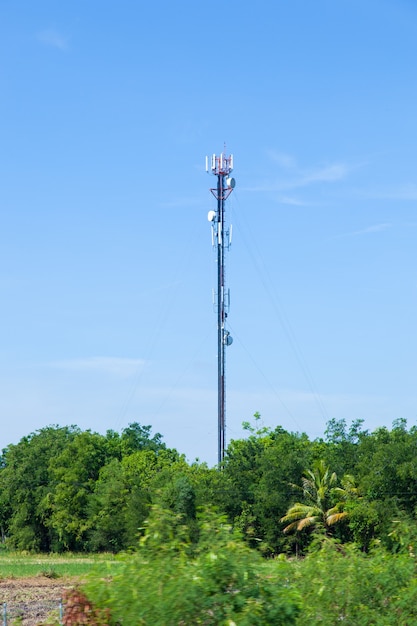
(62, 488)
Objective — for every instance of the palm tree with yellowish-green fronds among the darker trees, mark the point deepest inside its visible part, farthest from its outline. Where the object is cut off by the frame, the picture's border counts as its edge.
(319, 488)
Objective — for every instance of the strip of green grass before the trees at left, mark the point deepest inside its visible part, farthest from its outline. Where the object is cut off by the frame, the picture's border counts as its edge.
(21, 565)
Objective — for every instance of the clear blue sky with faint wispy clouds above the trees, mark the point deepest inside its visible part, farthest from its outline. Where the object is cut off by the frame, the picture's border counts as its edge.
(107, 112)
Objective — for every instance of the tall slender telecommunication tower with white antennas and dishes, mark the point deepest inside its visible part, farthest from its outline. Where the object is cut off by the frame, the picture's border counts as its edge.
(221, 167)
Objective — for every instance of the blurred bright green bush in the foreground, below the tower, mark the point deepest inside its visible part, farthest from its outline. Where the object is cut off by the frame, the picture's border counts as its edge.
(218, 581)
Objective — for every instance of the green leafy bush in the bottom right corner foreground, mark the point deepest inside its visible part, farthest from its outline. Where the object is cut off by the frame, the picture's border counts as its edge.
(342, 584)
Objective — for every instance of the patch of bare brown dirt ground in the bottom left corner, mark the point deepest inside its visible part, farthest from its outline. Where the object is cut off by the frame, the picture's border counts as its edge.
(32, 601)
